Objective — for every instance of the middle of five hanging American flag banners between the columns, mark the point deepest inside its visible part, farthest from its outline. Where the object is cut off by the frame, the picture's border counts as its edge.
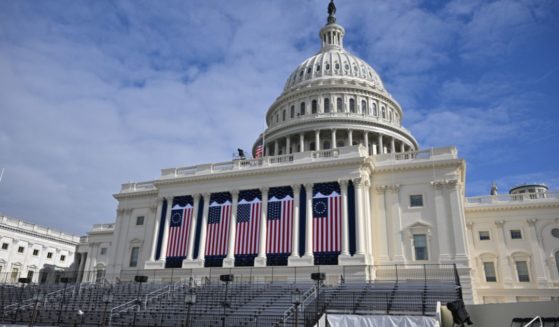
(249, 212)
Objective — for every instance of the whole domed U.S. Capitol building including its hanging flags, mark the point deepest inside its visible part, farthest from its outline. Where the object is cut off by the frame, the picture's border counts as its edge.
(340, 184)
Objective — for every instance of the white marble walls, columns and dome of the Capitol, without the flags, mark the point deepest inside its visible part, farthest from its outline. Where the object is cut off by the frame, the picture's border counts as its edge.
(335, 122)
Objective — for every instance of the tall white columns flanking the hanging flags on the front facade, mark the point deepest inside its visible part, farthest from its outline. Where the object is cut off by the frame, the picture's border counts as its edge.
(360, 193)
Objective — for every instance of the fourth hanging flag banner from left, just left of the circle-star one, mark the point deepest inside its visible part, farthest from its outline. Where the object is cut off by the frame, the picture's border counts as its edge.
(279, 231)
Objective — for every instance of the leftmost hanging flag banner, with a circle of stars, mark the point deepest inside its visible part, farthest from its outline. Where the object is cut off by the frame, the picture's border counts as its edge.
(179, 230)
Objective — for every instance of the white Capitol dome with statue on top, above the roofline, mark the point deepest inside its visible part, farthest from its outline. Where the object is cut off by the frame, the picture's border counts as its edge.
(334, 99)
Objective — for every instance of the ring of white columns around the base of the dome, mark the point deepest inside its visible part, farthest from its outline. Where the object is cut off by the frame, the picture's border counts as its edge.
(383, 144)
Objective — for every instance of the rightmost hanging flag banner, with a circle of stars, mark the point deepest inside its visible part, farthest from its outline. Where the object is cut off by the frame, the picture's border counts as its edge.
(327, 218)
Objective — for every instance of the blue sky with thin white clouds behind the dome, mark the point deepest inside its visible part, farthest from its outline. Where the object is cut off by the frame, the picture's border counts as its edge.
(94, 94)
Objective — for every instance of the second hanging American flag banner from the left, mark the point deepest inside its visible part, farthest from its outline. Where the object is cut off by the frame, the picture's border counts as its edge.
(219, 216)
